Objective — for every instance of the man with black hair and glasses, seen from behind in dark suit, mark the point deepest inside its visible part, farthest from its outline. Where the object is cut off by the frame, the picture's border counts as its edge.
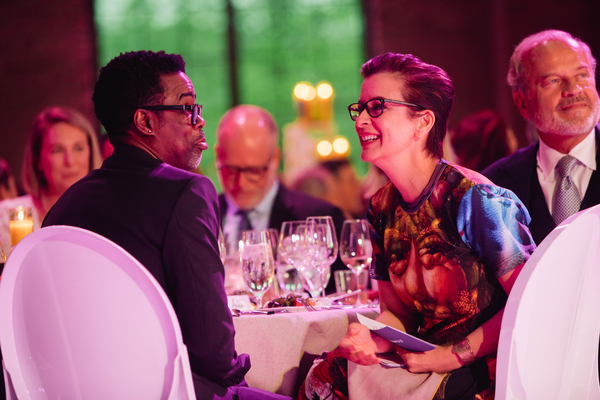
(143, 199)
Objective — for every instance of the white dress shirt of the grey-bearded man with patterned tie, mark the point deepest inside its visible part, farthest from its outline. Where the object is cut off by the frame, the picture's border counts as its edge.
(547, 158)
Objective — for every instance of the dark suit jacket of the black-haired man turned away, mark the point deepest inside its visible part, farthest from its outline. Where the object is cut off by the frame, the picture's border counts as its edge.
(168, 220)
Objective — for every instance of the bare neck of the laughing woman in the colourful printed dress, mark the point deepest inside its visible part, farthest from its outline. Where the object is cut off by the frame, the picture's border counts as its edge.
(412, 178)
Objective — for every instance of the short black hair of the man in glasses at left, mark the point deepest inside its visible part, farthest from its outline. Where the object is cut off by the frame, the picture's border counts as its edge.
(129, 81)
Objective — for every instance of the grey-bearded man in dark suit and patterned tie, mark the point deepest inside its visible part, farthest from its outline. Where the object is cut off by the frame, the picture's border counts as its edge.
(551, 74)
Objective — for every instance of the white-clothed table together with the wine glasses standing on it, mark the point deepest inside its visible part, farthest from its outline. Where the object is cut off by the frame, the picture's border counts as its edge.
(282, 316)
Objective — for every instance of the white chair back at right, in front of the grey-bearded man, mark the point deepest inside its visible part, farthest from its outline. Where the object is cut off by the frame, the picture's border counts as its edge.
(549, 338)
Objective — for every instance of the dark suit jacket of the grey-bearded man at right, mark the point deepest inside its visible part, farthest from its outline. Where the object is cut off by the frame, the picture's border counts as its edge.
(518, 172)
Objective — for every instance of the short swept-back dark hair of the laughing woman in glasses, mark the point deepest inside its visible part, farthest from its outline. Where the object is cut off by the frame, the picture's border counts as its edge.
(424, 84)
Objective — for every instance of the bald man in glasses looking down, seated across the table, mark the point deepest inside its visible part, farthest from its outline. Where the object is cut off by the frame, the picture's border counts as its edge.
(247, 157)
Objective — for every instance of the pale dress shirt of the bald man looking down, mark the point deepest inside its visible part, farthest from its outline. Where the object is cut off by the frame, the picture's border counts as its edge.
(258, 216)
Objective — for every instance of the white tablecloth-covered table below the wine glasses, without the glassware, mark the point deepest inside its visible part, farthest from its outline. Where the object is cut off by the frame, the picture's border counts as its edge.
(282, 346)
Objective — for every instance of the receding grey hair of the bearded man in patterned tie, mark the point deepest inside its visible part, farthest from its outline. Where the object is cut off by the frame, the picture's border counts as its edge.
(516, 78)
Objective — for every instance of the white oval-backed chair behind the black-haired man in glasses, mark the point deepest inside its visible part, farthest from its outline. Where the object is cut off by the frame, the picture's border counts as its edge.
(80, 318)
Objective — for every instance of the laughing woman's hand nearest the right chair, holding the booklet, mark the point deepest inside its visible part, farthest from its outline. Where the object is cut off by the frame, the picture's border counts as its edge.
(440, 360)
